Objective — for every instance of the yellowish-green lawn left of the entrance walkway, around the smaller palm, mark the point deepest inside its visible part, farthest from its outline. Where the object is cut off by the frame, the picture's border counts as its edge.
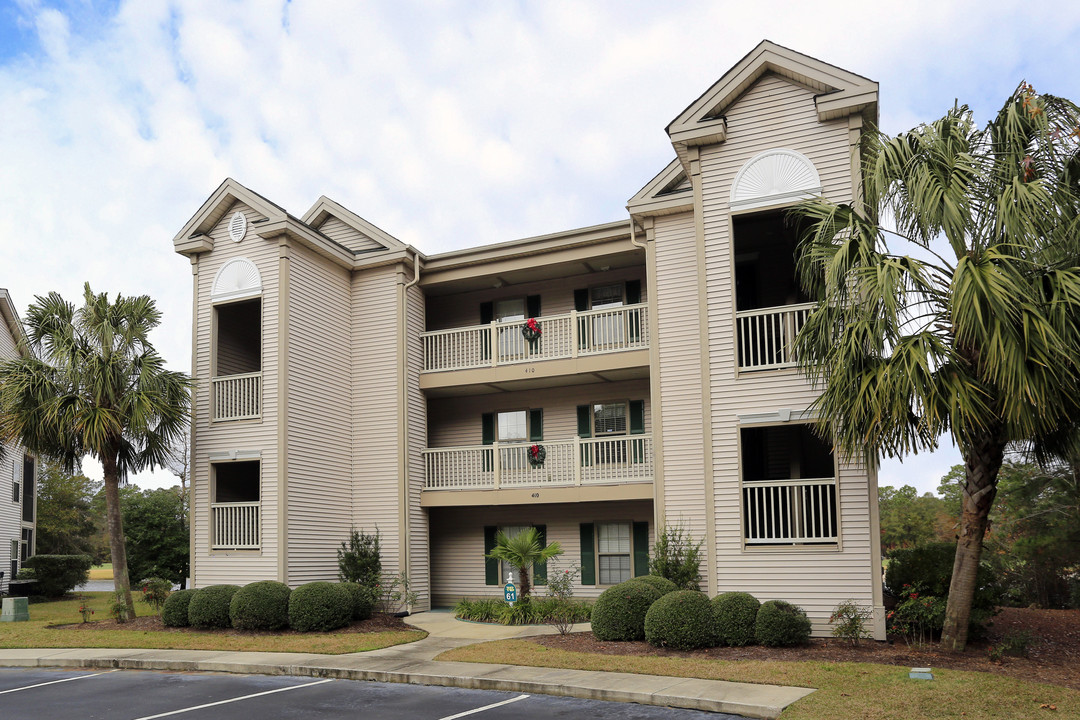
(38, 634)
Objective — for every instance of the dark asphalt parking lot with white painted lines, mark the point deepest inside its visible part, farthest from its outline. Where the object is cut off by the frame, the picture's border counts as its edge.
(48, 695)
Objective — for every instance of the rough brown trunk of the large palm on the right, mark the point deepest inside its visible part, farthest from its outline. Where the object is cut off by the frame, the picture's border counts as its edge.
(982, 463)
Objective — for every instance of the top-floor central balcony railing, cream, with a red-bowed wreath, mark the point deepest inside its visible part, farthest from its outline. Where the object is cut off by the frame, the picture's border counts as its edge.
(573, 335)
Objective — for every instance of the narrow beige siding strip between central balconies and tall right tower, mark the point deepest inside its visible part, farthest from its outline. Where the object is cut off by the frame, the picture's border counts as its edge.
(679, 327)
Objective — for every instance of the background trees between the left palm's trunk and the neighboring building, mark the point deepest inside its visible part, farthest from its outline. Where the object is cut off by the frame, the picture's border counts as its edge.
(65, 523)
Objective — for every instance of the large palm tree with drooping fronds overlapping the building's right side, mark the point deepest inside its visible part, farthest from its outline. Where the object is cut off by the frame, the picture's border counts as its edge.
(977, 336)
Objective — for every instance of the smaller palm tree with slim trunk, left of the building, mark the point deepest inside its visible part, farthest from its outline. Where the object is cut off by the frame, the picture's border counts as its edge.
(94, 385)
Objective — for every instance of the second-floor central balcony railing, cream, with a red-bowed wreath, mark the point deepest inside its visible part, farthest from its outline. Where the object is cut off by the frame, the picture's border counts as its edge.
(574, 463)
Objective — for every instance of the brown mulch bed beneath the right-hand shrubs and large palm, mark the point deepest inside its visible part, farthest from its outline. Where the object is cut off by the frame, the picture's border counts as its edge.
(1055, 655)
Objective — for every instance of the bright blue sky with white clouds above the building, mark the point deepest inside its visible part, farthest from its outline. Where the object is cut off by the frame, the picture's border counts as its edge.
(449, 125)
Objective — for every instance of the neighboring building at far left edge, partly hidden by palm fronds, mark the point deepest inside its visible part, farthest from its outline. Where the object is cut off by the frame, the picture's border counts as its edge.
(19, 500)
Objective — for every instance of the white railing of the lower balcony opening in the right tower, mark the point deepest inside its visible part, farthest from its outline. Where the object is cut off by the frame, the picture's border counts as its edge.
(788, 512)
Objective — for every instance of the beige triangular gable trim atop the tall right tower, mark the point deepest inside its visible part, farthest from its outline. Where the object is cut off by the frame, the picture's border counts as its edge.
(841, 93)
